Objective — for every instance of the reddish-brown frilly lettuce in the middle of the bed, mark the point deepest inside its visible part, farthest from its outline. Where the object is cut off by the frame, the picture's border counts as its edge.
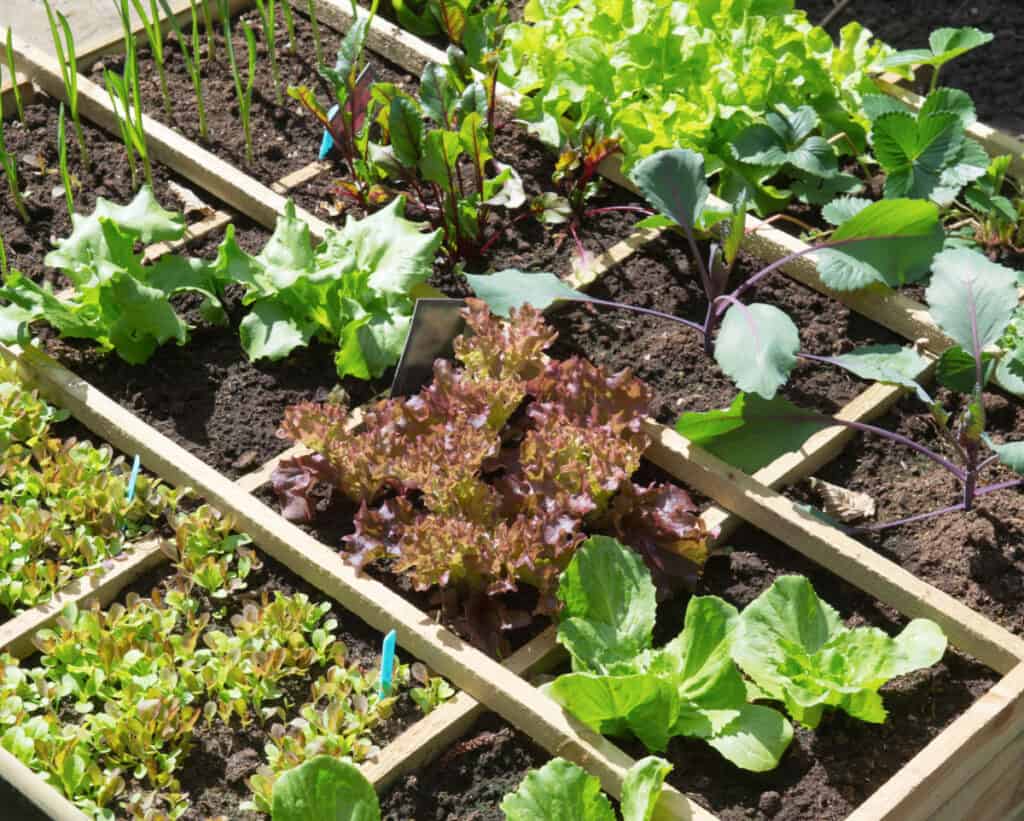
(462, 489)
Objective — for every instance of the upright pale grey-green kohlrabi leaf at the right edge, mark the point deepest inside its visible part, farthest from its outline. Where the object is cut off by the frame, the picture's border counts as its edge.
(971, 298)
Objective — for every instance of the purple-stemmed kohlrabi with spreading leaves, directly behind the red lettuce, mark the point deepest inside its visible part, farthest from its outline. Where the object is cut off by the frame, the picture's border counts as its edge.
(756, 345)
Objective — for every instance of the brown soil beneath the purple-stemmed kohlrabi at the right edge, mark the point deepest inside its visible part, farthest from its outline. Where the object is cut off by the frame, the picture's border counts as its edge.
(976, 557)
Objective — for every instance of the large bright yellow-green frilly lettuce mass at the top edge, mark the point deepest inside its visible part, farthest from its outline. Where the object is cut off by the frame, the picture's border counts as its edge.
(719, 66)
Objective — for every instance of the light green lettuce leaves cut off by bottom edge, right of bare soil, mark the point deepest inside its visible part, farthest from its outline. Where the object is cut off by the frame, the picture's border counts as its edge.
(563, 790)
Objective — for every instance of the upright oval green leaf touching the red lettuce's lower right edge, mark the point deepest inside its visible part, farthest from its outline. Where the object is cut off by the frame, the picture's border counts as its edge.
(610, 606)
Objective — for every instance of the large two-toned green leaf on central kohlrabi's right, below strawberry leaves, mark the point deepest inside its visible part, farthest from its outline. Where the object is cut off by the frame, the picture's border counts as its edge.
(898, 240)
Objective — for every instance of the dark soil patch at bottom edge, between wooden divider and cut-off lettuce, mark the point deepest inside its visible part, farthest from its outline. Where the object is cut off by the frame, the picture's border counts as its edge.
(468, 782)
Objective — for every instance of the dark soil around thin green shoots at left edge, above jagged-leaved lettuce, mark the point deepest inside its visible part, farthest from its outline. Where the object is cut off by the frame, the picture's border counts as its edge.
(34, 146)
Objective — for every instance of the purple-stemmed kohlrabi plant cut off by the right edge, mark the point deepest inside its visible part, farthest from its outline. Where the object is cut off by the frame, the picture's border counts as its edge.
(974, 301)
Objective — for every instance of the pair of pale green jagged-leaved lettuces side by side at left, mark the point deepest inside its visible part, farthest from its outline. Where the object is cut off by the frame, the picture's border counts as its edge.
(355, 290)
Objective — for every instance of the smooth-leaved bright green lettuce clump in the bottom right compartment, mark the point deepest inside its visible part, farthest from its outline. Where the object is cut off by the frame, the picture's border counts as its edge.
(792, 647)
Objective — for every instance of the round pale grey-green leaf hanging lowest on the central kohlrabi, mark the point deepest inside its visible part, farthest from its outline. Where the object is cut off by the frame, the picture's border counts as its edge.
(757, 348)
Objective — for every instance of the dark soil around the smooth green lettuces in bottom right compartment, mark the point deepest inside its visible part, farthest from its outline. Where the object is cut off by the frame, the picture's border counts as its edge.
(828, 772)
